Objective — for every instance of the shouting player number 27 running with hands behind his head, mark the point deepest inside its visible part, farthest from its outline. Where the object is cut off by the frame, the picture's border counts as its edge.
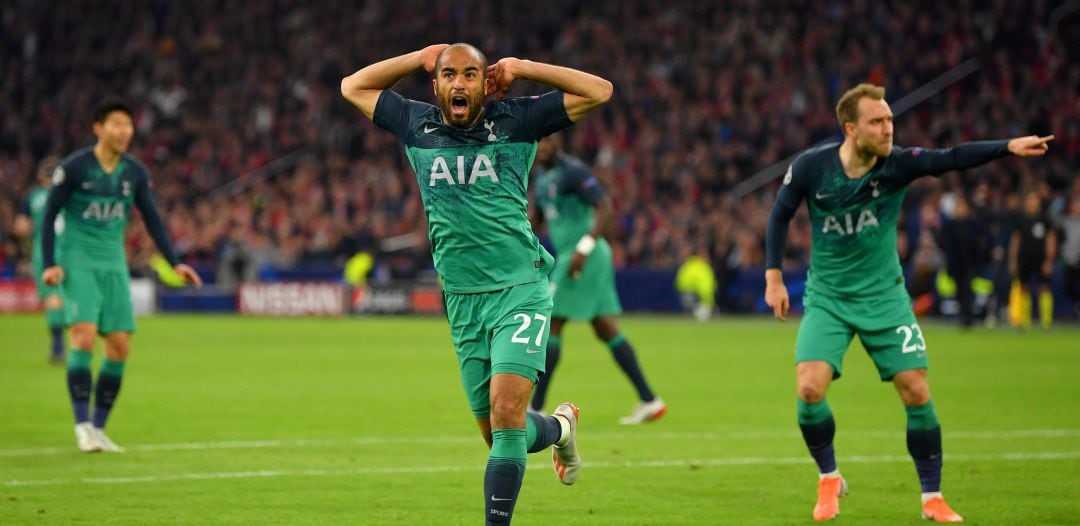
(472, 163)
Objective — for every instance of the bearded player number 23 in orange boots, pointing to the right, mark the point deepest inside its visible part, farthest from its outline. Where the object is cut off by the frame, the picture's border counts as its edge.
(856, 286)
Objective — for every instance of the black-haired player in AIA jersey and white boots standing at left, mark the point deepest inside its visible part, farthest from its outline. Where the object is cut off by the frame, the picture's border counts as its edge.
(97, 190)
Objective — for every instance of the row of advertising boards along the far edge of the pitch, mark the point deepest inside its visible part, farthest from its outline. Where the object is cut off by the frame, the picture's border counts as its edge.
(301, 293)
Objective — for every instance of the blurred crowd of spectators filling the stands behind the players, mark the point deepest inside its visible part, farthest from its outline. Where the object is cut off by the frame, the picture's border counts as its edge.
(259, 163)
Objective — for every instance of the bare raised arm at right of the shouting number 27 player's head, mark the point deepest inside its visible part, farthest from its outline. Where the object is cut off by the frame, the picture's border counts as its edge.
(582, 92)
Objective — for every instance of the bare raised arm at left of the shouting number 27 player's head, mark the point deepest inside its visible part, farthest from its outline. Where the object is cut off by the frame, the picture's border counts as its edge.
(363, 88)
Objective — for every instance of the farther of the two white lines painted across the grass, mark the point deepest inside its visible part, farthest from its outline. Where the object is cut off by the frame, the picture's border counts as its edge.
(618, 437)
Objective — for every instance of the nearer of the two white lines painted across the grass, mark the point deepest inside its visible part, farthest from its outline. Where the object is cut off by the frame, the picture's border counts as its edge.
(712, 463)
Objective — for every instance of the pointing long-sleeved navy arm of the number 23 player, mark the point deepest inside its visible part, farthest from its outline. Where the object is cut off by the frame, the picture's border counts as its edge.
(969, 155)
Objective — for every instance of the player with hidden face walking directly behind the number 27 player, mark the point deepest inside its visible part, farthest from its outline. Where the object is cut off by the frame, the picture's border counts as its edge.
(577, 211)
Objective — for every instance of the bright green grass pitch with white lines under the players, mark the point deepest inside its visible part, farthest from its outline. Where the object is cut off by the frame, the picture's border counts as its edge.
(234, 421)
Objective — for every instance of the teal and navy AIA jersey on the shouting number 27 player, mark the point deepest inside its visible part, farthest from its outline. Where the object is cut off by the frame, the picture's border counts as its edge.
(474, 183)
